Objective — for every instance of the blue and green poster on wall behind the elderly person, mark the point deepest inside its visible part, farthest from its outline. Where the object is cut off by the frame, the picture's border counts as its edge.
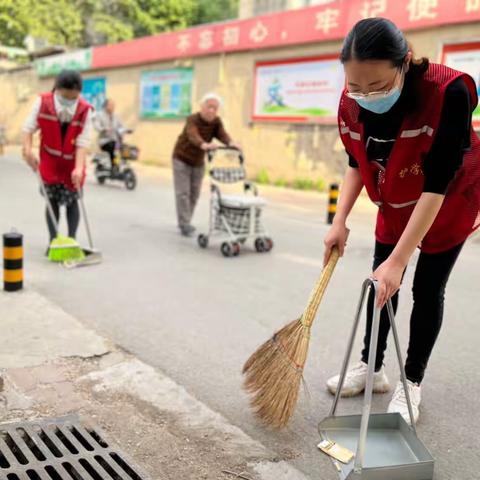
(166, 93)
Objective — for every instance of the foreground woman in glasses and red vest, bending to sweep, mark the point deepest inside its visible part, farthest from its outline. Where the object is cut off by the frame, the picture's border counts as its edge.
(406, 126)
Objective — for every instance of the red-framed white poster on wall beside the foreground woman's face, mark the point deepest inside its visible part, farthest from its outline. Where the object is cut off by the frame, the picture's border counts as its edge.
(298, 90)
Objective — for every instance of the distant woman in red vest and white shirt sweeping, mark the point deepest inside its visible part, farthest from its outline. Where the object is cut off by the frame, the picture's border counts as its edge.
(64, 120)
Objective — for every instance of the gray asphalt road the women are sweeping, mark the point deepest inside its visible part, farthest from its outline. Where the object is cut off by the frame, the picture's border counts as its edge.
(198, 316)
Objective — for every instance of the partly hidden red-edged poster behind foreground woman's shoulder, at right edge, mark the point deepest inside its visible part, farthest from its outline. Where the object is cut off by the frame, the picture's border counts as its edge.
(466, 58)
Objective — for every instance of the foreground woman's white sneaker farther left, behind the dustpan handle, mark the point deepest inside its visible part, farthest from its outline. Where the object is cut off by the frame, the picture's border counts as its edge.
(356, 380)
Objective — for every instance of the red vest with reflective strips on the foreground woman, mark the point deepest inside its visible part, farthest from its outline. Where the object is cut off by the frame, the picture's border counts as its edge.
(397, 189)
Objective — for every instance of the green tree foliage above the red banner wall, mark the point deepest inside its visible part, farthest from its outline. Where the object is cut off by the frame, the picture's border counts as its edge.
(81, 23)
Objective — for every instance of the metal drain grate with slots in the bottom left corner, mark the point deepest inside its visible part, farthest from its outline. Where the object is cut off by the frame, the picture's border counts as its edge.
(61, 449)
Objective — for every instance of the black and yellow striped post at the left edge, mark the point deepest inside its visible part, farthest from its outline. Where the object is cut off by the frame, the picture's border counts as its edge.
(12, 261)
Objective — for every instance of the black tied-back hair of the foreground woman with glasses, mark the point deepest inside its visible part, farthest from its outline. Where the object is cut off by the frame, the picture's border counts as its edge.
(379, 39)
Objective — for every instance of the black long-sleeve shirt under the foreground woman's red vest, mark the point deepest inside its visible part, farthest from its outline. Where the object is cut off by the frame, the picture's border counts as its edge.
(452, 138)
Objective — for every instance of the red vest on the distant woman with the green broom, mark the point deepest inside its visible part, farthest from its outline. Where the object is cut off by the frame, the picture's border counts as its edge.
(57, 157)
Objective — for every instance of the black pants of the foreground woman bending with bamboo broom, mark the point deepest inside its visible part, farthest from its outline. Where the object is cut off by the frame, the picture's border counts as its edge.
(430, 280)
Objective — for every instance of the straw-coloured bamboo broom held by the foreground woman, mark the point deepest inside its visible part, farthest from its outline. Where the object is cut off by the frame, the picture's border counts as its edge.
(273, 373)
